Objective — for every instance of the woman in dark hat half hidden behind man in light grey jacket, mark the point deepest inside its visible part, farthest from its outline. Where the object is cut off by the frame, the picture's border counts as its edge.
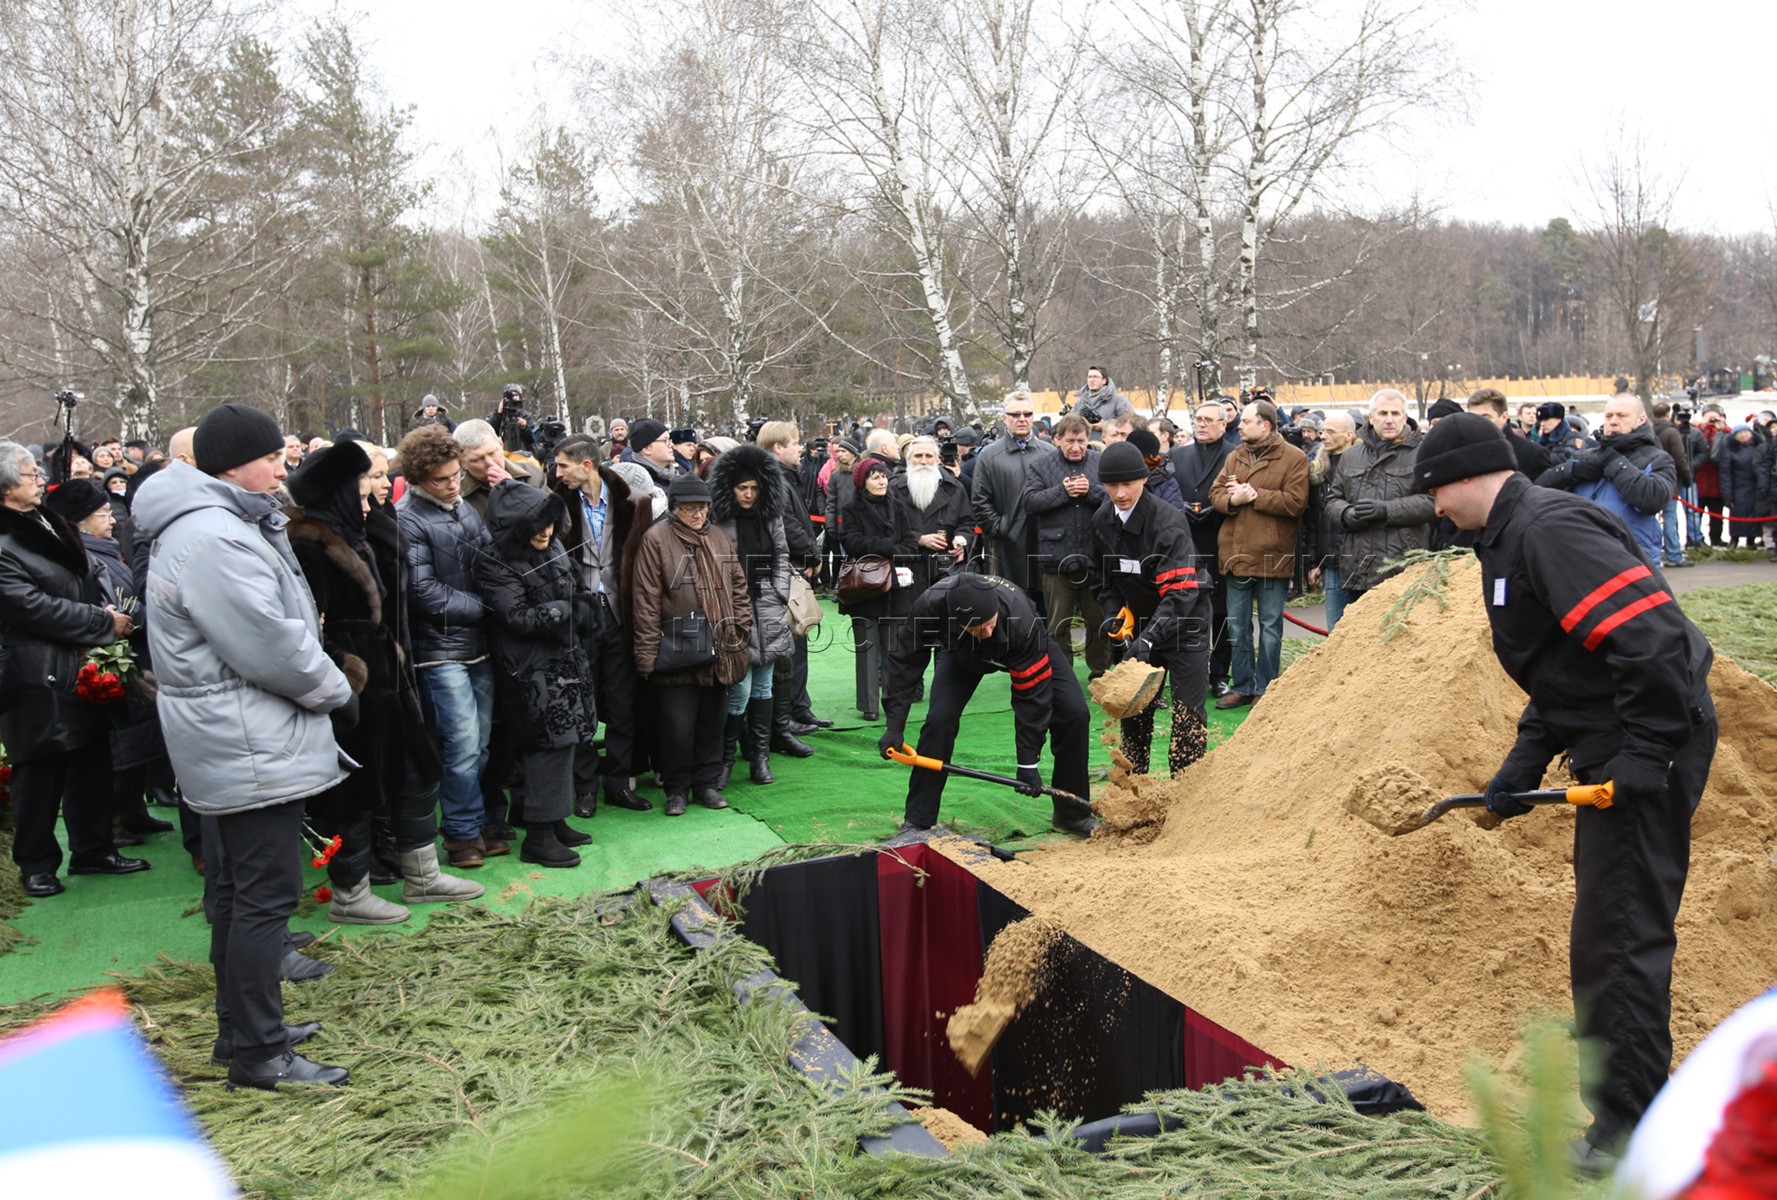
(136, 742)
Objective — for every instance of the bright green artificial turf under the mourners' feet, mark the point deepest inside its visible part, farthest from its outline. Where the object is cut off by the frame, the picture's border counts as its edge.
(845, 794)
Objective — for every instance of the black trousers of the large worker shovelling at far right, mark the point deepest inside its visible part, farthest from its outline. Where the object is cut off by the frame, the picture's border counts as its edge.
(1629, 870)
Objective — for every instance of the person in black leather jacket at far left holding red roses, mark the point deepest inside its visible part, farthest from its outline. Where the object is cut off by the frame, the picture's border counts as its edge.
(52, 612)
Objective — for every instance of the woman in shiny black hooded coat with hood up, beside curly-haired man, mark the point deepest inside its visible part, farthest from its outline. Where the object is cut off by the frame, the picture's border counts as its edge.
(541, 676)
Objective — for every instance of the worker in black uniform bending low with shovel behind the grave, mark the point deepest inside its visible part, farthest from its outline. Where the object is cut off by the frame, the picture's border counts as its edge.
(980, 625)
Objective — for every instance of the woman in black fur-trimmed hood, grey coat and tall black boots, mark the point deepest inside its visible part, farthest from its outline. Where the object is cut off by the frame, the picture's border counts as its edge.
(747, 500)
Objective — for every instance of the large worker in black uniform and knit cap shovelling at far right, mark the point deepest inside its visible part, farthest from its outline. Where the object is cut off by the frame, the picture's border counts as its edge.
(1618, 680)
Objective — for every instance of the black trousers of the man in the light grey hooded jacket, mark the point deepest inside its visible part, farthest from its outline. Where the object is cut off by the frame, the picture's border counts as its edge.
(253, 884)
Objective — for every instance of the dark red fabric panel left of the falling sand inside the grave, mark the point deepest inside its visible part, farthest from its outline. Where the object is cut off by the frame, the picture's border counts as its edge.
(932, 961)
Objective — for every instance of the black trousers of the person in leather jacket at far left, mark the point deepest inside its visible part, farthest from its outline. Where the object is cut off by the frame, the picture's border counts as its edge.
(76, 785)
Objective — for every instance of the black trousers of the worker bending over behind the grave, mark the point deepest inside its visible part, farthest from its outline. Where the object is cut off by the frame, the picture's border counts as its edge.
(953, 685)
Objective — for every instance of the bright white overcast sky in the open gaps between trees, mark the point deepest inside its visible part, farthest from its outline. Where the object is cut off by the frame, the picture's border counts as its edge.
(1547, 84)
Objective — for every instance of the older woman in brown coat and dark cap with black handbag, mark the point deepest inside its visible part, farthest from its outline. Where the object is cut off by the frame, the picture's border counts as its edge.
(685, 566)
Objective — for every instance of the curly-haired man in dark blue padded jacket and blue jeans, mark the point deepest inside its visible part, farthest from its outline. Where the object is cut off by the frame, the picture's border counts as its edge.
(445, 540)
